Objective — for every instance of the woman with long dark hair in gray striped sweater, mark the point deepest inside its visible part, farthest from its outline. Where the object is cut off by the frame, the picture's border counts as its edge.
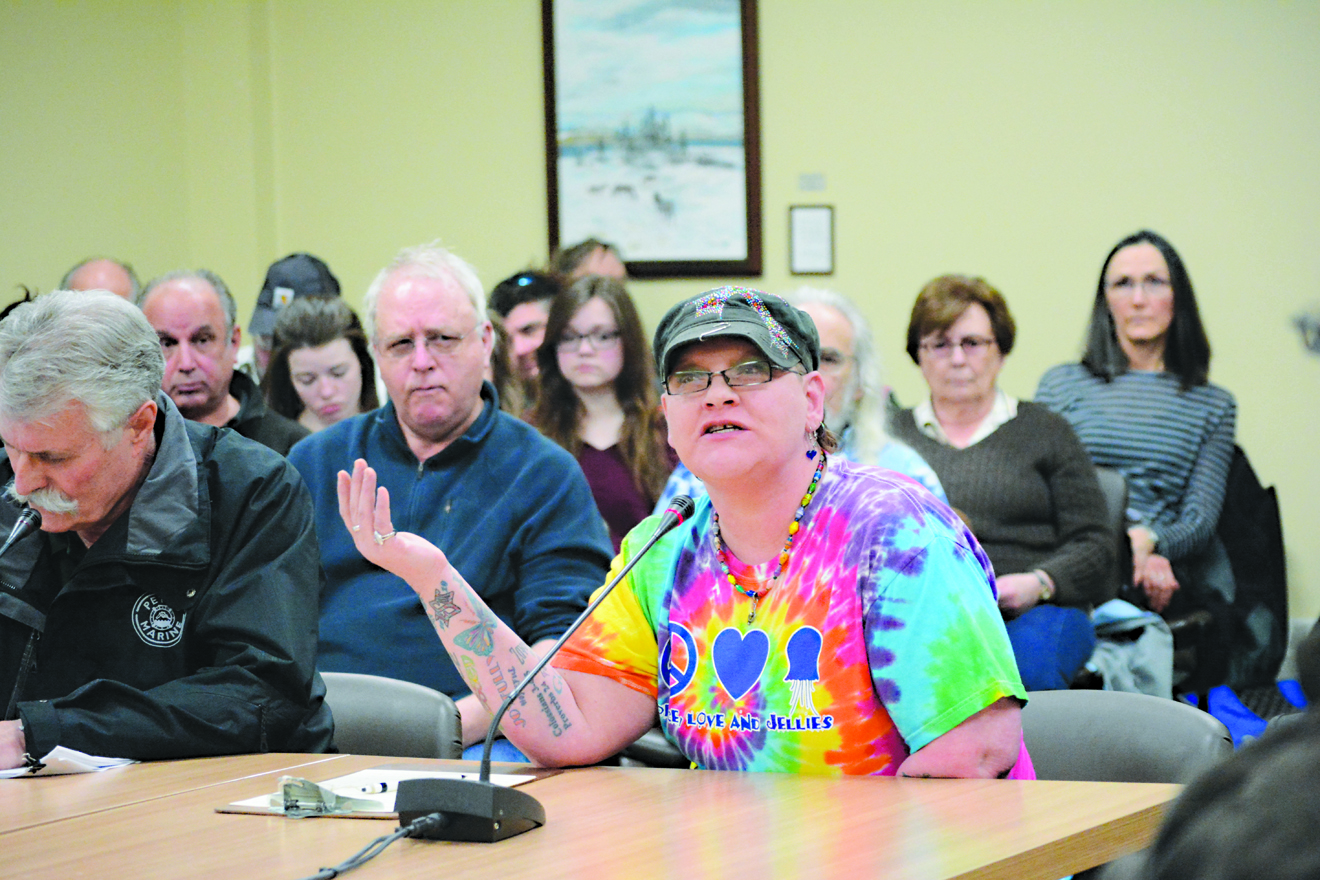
(1142, 403)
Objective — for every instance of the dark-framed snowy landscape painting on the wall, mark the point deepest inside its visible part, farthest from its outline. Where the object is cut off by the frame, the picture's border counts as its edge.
(724, 232)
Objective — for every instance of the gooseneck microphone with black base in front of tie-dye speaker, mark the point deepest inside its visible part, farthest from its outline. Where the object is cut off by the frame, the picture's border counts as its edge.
(482, 812)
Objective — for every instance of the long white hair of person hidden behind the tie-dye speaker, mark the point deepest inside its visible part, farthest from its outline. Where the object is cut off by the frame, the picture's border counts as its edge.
(865, 418)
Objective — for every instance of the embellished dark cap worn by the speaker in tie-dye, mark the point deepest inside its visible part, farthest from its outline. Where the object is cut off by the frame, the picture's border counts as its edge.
(783, 333)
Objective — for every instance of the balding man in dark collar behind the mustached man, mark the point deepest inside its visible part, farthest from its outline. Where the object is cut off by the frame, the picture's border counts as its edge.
(196, 319)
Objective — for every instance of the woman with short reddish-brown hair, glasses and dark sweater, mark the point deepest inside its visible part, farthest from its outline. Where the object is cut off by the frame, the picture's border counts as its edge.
(1020, 476)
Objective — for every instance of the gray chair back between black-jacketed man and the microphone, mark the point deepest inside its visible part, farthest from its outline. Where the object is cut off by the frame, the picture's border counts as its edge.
(377, 716)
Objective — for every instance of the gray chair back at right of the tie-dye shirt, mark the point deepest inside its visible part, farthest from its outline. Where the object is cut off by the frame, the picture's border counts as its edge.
(1115, 737)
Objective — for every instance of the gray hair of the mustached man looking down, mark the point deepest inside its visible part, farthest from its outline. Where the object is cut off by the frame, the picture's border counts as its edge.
(93, 348)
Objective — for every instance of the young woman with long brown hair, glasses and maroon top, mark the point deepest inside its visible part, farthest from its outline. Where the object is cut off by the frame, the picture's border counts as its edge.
(597, 399)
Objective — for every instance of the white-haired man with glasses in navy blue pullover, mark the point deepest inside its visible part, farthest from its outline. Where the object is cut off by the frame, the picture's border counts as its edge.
(513, 510)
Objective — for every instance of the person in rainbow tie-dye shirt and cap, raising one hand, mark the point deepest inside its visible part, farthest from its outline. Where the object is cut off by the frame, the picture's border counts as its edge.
(812, 617)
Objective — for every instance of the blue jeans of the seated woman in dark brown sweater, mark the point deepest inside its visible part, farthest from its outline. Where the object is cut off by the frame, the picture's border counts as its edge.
(1051, 644)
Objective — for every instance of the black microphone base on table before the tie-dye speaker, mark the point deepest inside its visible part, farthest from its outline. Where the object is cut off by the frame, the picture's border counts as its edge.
(475, 812)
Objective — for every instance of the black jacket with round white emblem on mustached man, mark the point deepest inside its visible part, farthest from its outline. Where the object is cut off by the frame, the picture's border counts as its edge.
(191, 627)
